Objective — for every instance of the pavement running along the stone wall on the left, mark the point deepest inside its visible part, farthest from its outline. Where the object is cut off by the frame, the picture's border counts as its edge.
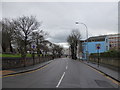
(23, 69)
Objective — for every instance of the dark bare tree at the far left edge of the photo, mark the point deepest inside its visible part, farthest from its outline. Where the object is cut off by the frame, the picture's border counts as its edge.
(7, 34)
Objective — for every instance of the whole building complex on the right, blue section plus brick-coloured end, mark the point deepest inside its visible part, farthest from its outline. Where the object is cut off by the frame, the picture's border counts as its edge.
(105, 42)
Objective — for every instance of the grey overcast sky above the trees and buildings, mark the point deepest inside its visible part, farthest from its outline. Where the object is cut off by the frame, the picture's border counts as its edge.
(59, 17)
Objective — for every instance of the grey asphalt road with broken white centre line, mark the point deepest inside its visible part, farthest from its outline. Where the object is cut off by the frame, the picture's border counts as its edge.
(60, 73)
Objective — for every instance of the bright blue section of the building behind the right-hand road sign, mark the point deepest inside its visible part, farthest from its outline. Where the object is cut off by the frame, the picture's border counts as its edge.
(90, 45)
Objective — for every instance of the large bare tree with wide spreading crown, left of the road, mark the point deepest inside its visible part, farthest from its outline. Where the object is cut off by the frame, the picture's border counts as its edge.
(23, 27)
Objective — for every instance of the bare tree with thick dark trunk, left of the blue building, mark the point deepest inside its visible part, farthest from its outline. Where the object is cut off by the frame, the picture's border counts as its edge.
(73, 39)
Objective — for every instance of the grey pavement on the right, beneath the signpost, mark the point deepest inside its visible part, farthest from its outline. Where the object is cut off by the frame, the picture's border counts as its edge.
(113, 73)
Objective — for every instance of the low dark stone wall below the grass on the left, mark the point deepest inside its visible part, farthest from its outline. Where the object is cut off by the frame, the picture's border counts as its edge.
(16, 62)
